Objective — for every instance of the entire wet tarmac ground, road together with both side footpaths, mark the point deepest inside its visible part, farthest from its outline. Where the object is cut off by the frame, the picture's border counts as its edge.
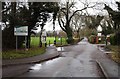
(79, 60)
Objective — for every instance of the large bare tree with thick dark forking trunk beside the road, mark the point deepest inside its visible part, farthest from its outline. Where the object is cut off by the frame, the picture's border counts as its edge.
(65, 16)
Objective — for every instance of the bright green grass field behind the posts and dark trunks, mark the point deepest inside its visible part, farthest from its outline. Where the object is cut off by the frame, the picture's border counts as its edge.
(35, 41)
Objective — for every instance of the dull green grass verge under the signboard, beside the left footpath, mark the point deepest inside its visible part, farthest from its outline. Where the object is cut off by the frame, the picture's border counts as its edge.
(13, 54)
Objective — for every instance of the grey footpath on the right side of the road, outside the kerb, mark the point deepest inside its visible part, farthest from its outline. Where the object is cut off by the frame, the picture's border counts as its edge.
(110, 68)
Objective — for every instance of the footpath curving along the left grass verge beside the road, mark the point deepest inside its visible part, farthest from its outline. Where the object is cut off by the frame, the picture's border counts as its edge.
(50, 53)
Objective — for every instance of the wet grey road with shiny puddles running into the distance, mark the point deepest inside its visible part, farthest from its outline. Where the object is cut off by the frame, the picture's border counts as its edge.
(75, 61)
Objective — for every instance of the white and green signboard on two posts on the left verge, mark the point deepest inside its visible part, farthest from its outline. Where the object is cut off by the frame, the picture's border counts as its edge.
(21, 31)
